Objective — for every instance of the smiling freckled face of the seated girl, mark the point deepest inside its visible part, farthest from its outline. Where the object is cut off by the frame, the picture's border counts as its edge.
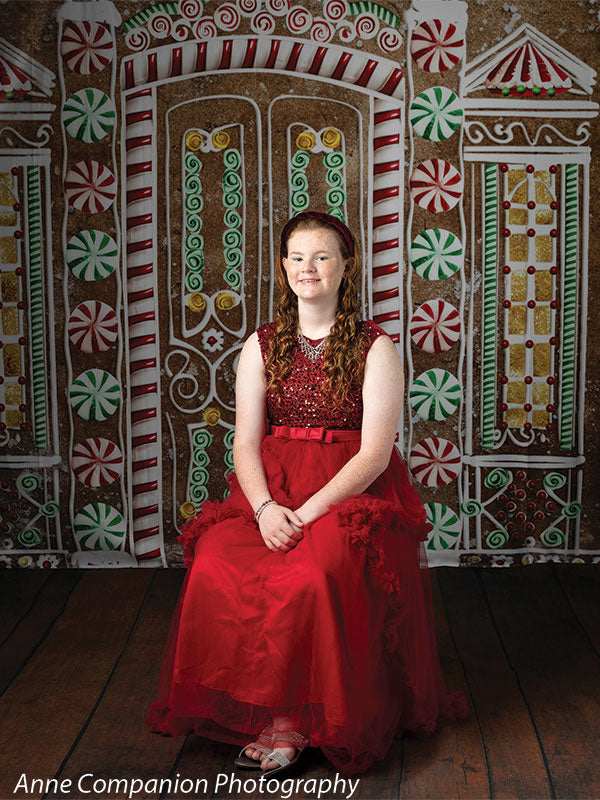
(314, 265)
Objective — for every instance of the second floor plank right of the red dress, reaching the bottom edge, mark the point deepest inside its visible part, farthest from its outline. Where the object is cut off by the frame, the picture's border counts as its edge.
(514, 756)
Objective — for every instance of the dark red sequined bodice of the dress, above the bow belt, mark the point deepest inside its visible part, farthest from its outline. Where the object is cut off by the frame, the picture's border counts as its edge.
(303, 402)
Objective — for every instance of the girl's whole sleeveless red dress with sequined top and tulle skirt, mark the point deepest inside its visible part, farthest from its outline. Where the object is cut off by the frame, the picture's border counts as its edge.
(339, 630)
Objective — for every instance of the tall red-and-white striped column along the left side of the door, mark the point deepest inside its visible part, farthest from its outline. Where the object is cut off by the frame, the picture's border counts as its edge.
(144, 445)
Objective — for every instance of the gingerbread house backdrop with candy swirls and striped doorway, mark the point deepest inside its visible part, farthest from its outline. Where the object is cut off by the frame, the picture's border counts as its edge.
(149, 154)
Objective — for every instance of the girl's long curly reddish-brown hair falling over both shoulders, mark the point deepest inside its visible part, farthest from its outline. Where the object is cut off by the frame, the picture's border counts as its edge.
(343, 363)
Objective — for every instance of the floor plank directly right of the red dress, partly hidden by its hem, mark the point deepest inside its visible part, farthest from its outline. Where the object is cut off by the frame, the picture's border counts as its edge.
(452, 762)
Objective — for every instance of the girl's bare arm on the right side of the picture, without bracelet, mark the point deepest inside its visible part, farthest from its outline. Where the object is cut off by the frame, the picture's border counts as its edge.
(383, 390)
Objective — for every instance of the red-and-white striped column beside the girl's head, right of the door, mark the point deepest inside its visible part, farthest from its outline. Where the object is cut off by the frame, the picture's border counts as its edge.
(388, 196)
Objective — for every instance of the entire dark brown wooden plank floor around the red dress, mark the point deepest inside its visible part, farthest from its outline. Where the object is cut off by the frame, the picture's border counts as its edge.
(81, 651)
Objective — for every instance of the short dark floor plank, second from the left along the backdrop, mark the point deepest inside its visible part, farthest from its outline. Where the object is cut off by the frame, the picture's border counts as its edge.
(43, 609)
